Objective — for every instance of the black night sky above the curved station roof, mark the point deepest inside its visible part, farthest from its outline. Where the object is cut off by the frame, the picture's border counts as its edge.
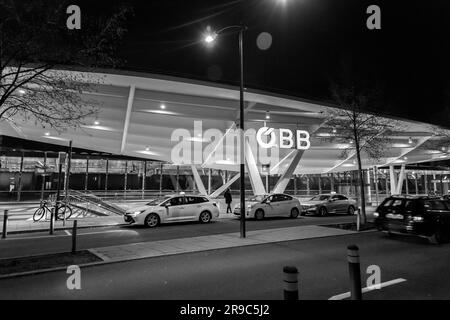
(315, 43)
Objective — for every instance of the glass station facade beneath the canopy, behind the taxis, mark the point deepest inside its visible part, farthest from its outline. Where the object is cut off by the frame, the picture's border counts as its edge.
(25, 178)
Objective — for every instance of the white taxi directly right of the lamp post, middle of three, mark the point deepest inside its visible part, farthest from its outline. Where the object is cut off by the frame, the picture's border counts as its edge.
(260, 207)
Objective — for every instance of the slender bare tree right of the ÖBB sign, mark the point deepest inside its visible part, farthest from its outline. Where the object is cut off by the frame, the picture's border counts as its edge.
(360, 133)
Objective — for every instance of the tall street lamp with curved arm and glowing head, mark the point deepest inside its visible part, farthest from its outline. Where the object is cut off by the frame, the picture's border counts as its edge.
(210, 37)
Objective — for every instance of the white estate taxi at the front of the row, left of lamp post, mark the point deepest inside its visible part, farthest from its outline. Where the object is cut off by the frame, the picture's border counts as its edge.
(173, 209)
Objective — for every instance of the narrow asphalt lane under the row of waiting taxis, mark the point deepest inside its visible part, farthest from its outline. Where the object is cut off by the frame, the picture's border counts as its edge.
(18, 245)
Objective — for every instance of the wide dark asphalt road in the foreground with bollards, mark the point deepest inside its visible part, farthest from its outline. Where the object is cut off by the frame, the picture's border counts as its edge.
(255, 272)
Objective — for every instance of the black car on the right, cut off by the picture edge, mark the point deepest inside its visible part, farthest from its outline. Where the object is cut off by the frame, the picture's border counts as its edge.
(422, 216)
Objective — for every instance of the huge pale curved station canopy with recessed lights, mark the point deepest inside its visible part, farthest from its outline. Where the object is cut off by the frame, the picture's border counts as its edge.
(138, 114)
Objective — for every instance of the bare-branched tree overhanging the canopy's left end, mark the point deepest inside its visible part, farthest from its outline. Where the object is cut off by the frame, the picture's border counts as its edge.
(34, 45)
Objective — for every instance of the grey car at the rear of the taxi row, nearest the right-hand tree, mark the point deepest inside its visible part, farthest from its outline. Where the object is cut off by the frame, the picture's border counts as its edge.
(324, 204)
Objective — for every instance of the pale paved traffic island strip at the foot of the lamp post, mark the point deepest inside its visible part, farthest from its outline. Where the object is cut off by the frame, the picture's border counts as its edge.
(222, 241)
